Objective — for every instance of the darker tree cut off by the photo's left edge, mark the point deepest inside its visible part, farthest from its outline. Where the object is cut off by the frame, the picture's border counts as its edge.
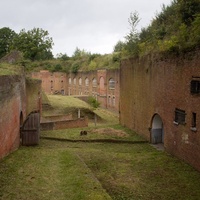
(6, 39)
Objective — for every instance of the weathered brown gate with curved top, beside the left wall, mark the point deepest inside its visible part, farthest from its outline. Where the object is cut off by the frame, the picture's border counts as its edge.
(31, 129)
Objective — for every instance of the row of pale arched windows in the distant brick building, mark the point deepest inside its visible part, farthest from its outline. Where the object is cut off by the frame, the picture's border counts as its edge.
(94, 82)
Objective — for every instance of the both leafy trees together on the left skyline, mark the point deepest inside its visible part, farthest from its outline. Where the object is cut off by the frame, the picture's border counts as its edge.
(35, 44)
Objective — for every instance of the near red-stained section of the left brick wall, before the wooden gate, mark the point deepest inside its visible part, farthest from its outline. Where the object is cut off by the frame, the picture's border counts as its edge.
(12, 112)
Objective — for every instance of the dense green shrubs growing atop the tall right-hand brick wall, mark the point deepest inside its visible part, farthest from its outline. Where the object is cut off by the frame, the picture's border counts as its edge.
(174, 29)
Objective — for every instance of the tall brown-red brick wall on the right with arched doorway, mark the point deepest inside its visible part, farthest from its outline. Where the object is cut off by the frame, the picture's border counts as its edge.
(150, 86)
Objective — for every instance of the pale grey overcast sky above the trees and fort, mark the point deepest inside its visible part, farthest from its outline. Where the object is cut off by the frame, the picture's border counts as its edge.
(93, 25)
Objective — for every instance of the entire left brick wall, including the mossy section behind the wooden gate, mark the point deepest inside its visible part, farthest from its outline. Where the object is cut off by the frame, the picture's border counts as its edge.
(18, 97)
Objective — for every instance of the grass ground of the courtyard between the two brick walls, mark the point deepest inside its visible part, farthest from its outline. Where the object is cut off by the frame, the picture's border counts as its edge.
(85, 170)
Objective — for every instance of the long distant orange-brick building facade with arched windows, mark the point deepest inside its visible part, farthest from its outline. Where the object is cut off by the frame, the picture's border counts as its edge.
(102, 84)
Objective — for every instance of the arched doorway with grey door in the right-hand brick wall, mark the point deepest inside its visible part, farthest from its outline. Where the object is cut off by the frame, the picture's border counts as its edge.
(157, 130)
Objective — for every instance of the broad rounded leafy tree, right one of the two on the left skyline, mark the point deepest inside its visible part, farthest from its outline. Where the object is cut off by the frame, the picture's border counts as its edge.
(35, 44)
